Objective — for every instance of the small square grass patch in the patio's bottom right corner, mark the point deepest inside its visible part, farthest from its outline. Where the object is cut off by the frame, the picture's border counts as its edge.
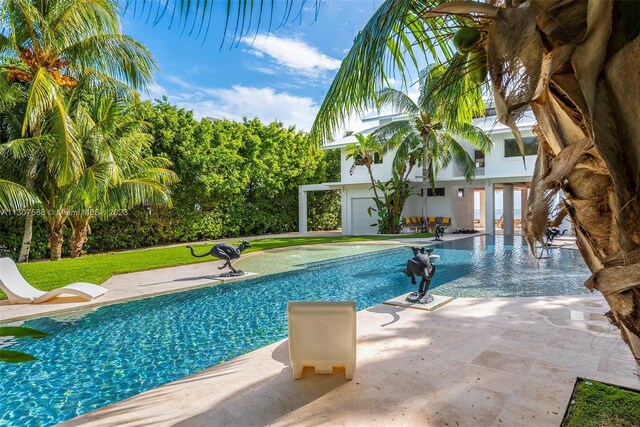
(600, 405)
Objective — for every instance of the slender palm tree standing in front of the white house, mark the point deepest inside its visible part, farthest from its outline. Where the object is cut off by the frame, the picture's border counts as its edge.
(429, 129)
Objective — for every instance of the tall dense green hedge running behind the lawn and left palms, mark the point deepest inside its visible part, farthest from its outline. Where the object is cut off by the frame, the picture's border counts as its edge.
(236, 179)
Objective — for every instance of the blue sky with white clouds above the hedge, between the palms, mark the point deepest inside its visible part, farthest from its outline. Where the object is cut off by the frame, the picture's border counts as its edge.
(280, 75)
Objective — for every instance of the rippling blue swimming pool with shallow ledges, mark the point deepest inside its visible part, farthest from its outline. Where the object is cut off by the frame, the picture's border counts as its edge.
(99, 356)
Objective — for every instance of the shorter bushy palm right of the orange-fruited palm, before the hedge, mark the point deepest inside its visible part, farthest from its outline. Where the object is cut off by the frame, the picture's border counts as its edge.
(118, 175)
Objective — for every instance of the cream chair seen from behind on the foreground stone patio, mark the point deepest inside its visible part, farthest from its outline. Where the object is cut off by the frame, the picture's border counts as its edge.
(322, 335)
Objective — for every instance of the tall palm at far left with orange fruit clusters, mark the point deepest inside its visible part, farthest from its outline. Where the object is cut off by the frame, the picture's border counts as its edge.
(46, 46)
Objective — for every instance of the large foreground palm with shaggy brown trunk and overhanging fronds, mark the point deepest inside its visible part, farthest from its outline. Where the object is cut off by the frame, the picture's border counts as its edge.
(574, 63)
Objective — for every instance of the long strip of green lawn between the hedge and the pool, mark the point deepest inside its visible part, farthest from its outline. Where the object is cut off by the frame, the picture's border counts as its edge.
(98, 268)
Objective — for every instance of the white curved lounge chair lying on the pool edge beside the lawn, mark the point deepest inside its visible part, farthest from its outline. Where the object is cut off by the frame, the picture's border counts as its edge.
(20, 291)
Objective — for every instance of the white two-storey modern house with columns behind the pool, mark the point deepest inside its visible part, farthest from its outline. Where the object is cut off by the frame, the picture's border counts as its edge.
(500, 175)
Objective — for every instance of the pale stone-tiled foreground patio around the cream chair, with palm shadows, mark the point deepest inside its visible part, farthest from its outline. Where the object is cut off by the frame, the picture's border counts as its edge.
(501, 361)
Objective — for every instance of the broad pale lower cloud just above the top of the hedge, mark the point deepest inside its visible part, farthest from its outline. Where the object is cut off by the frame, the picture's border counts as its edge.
(242, 101)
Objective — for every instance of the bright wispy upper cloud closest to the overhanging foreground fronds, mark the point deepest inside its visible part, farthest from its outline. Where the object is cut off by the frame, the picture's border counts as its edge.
(293, 54)
